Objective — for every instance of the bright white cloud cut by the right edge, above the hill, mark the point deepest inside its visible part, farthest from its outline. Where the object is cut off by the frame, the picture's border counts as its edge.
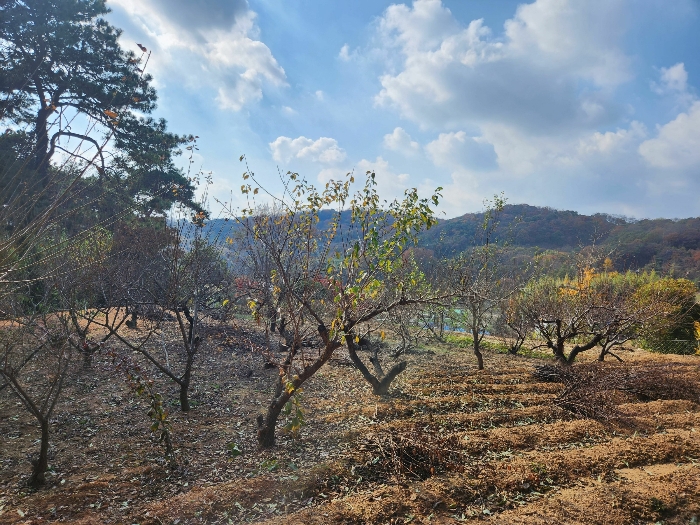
(677, 144)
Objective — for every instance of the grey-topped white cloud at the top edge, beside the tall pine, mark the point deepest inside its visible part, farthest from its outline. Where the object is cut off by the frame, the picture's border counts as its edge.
(216, 48)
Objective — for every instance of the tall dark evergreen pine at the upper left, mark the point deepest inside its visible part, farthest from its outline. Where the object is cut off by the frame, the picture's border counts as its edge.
(59, 59)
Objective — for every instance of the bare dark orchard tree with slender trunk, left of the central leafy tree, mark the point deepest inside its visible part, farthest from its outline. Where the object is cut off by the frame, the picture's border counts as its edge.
(173, 274)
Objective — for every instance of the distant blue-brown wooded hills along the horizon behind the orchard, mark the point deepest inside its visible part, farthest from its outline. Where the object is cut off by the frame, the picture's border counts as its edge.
(665, 245)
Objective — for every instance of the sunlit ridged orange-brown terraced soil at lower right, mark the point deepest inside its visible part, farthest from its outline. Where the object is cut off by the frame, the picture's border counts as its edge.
(517, 465)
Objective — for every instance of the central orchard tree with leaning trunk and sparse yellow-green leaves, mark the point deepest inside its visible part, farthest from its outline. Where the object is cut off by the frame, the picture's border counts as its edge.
(330, 281)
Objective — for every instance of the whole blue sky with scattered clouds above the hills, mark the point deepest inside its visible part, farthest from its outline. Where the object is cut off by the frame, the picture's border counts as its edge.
(587, 105)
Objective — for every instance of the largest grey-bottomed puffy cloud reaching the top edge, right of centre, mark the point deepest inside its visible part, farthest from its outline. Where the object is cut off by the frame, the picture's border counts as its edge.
(532, 77)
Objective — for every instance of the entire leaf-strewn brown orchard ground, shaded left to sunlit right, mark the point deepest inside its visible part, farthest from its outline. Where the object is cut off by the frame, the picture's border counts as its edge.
(449, 444)
